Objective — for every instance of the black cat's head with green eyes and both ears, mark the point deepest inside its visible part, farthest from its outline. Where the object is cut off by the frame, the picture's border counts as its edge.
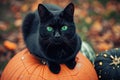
(56, 25)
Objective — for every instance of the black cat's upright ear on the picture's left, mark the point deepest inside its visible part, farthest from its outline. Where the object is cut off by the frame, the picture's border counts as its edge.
(44, 13)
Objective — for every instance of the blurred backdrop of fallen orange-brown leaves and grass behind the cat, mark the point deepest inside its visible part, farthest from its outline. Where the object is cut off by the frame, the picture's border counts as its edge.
(97, 22)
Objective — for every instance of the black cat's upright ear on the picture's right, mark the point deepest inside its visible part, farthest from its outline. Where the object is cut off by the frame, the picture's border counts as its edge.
(68, 12)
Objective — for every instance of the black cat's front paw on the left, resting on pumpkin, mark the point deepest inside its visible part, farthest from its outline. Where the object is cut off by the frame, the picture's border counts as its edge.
(55, 68)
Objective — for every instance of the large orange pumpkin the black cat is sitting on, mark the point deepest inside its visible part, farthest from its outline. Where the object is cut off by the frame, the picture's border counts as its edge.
(24, 66)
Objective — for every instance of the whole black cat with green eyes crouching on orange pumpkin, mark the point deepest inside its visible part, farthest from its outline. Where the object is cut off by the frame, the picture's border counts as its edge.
(50, 34)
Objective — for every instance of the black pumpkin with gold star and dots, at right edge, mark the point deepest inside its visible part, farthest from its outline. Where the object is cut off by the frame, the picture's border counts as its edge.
(107, 64)
